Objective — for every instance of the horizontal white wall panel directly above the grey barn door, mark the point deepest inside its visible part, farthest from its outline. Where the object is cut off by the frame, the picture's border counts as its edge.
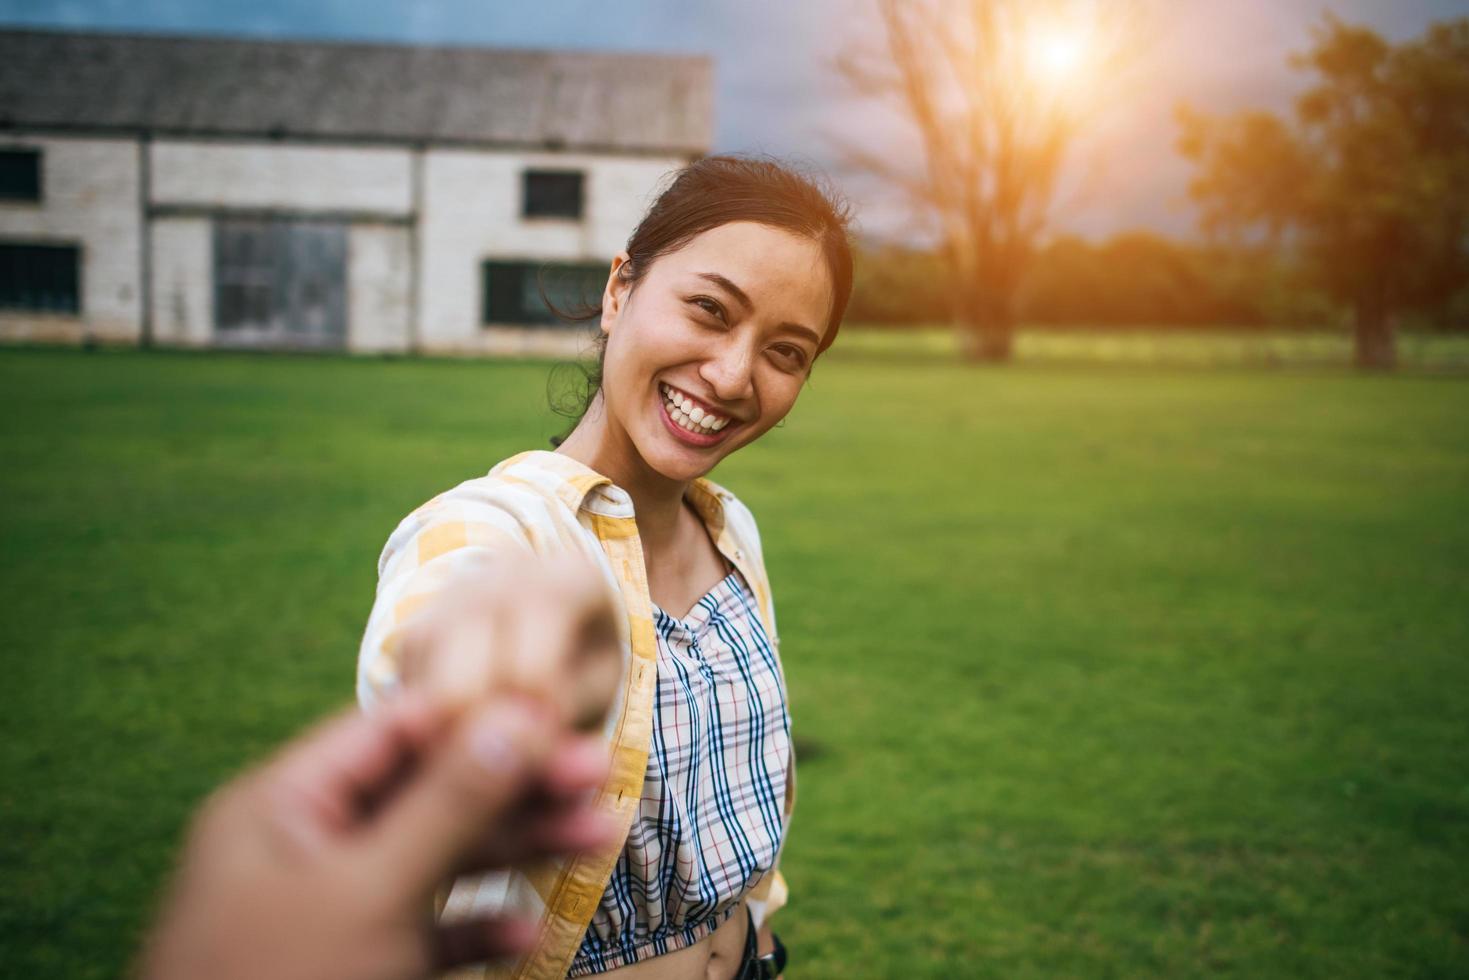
(283, 177)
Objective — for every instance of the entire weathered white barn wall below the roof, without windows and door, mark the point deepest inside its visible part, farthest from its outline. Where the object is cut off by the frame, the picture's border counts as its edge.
(471, 212)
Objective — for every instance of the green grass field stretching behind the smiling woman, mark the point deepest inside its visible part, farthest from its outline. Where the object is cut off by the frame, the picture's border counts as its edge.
(1126, 672)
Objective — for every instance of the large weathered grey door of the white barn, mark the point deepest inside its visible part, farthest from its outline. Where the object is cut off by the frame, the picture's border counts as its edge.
(280, 283)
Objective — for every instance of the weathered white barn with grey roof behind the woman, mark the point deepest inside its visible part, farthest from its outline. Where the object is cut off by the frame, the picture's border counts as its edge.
(364, 198)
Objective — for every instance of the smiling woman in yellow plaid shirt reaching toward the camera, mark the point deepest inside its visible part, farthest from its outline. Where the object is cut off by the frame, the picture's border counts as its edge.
(710, 325)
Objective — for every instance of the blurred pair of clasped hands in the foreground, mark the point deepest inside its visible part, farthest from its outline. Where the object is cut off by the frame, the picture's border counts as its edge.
(322, 863)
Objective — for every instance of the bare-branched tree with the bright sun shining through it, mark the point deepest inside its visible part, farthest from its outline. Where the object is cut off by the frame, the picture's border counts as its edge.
(995, 93)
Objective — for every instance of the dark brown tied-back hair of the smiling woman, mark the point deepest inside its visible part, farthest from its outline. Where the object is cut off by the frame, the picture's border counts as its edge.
(716, 192)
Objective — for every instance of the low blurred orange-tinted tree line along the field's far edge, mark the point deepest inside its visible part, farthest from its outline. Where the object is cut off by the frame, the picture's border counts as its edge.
(1129, 281)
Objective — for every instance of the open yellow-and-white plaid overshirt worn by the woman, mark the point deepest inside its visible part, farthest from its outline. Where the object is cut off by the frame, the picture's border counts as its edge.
(546, 503)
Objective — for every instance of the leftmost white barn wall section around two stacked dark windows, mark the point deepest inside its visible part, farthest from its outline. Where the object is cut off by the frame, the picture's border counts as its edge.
(89, 199)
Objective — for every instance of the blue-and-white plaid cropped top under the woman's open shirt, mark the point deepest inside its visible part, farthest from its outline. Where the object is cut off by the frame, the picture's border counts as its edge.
(710, 821)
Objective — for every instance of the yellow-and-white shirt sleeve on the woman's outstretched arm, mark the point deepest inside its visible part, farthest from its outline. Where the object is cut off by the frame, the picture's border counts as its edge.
(434, 547)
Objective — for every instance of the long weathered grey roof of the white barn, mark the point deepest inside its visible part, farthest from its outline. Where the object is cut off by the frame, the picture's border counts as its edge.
(190, 86)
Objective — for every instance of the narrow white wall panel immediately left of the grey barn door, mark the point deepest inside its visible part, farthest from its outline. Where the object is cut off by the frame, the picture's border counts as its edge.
(183, 281)
